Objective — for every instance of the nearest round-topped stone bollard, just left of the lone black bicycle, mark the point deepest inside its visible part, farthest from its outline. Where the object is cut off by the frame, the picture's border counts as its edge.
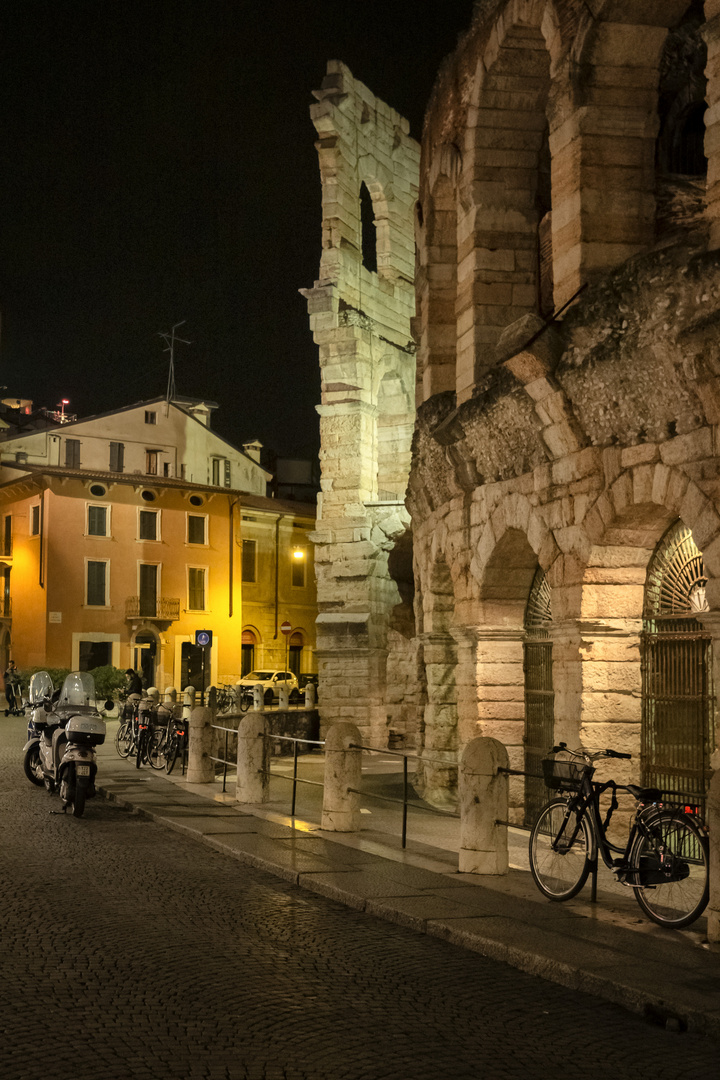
(483, 798)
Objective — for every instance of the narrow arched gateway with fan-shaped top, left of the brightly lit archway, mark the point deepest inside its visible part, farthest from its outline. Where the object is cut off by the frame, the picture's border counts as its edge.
(539, 693)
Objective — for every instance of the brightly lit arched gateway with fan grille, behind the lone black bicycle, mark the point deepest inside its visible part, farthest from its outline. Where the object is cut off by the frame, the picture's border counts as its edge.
(678, 733)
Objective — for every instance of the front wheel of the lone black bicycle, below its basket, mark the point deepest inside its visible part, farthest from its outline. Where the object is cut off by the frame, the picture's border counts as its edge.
(560, 852)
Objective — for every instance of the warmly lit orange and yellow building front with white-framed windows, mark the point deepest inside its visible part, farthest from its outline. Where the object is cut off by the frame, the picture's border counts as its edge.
(126, 570)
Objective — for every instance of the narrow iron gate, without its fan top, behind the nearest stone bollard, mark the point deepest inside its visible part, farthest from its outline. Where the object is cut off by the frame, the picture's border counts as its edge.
(539, 719)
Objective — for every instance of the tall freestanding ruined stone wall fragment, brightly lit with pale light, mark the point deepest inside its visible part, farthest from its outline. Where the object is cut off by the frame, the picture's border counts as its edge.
(360, 314)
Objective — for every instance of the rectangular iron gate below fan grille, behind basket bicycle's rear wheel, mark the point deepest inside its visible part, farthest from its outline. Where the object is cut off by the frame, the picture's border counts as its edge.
(677, 707)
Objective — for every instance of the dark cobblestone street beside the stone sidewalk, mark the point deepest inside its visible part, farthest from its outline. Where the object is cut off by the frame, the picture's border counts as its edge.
(130, 951)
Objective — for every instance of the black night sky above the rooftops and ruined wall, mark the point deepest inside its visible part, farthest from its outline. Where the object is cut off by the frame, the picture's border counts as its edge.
(157, 165)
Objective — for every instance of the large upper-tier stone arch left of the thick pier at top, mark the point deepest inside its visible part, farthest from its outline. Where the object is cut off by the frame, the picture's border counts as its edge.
(498, 280)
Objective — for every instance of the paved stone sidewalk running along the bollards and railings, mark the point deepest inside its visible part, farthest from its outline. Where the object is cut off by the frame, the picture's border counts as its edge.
(608, 949)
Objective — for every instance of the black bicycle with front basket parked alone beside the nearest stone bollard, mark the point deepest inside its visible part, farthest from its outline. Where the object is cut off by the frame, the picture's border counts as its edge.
(665, 860)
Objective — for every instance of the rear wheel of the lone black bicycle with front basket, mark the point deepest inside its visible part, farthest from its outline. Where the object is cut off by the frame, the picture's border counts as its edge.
(671, 862)
